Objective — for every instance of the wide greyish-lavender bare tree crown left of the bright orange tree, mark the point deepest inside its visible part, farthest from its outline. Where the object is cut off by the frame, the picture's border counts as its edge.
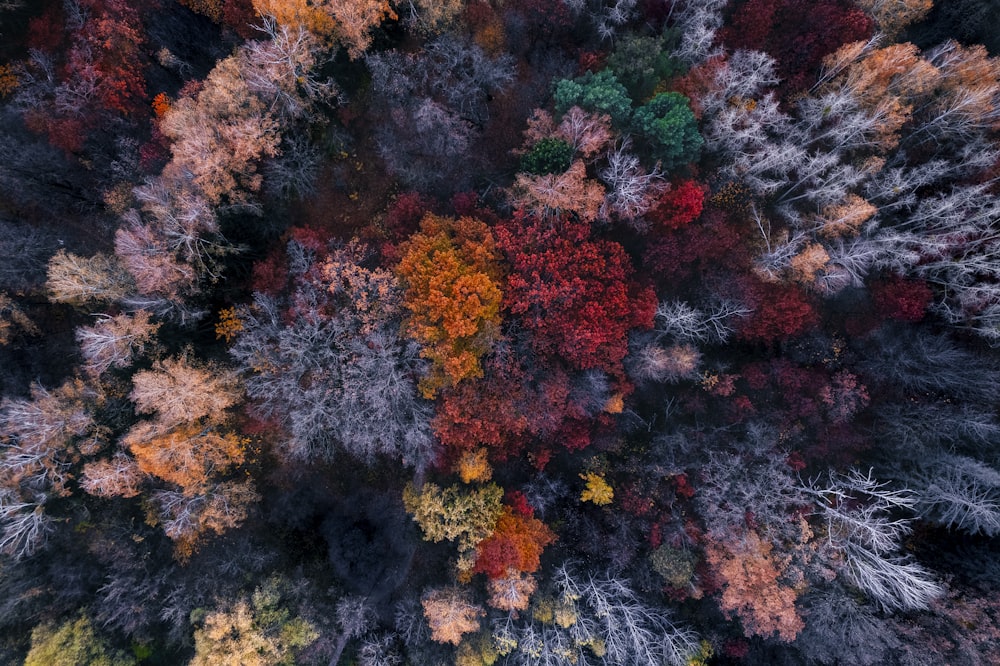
(326, 382)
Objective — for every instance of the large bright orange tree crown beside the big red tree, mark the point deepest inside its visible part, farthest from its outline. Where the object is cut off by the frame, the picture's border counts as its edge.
(451, 273)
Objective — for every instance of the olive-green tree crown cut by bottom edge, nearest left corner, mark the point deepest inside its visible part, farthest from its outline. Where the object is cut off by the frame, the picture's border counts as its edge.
(73, 643)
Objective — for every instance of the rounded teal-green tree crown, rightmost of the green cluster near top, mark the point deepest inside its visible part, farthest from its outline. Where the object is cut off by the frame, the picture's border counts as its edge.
(669, 129)
